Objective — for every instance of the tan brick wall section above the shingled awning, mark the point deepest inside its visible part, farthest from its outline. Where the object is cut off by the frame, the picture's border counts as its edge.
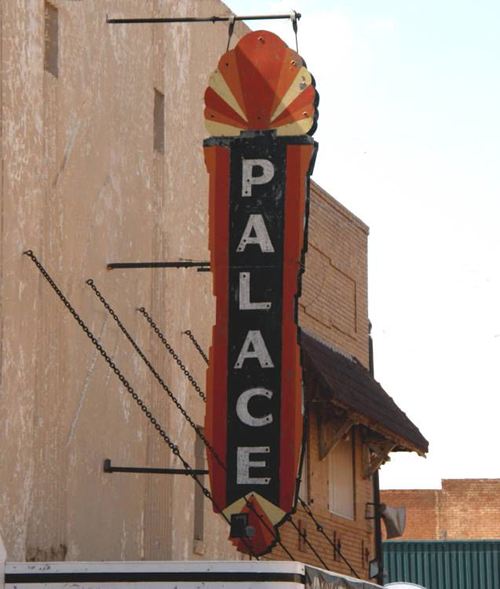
(334, 301)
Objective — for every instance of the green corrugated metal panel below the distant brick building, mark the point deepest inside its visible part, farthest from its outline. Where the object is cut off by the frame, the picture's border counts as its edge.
(444, 564)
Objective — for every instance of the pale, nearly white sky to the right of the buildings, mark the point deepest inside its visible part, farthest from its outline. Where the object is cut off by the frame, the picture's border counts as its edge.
(409, 140)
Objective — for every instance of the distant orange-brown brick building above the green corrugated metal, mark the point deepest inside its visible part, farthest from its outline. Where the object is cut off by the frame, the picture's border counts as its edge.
(462, 509)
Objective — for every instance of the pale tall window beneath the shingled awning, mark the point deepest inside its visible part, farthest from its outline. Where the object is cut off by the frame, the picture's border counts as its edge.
(341, 478)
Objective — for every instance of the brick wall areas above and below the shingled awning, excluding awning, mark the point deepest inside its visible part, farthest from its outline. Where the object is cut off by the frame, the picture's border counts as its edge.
(334, 307)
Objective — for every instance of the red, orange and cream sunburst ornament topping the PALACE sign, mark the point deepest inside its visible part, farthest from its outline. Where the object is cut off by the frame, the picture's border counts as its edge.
(261, 84)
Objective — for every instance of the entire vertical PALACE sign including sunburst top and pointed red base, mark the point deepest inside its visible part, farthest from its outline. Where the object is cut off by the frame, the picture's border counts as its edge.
(260, 110)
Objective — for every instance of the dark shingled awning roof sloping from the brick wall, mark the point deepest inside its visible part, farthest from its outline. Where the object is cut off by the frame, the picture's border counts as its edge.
(344, 381)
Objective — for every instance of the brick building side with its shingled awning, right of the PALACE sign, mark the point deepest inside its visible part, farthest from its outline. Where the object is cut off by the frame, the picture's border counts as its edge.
(334, 318)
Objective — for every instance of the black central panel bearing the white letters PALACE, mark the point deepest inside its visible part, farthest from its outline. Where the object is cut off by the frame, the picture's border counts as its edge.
(255, 282)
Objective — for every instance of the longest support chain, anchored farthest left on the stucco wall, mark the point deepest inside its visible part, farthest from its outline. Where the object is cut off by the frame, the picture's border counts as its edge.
(128, 387)
